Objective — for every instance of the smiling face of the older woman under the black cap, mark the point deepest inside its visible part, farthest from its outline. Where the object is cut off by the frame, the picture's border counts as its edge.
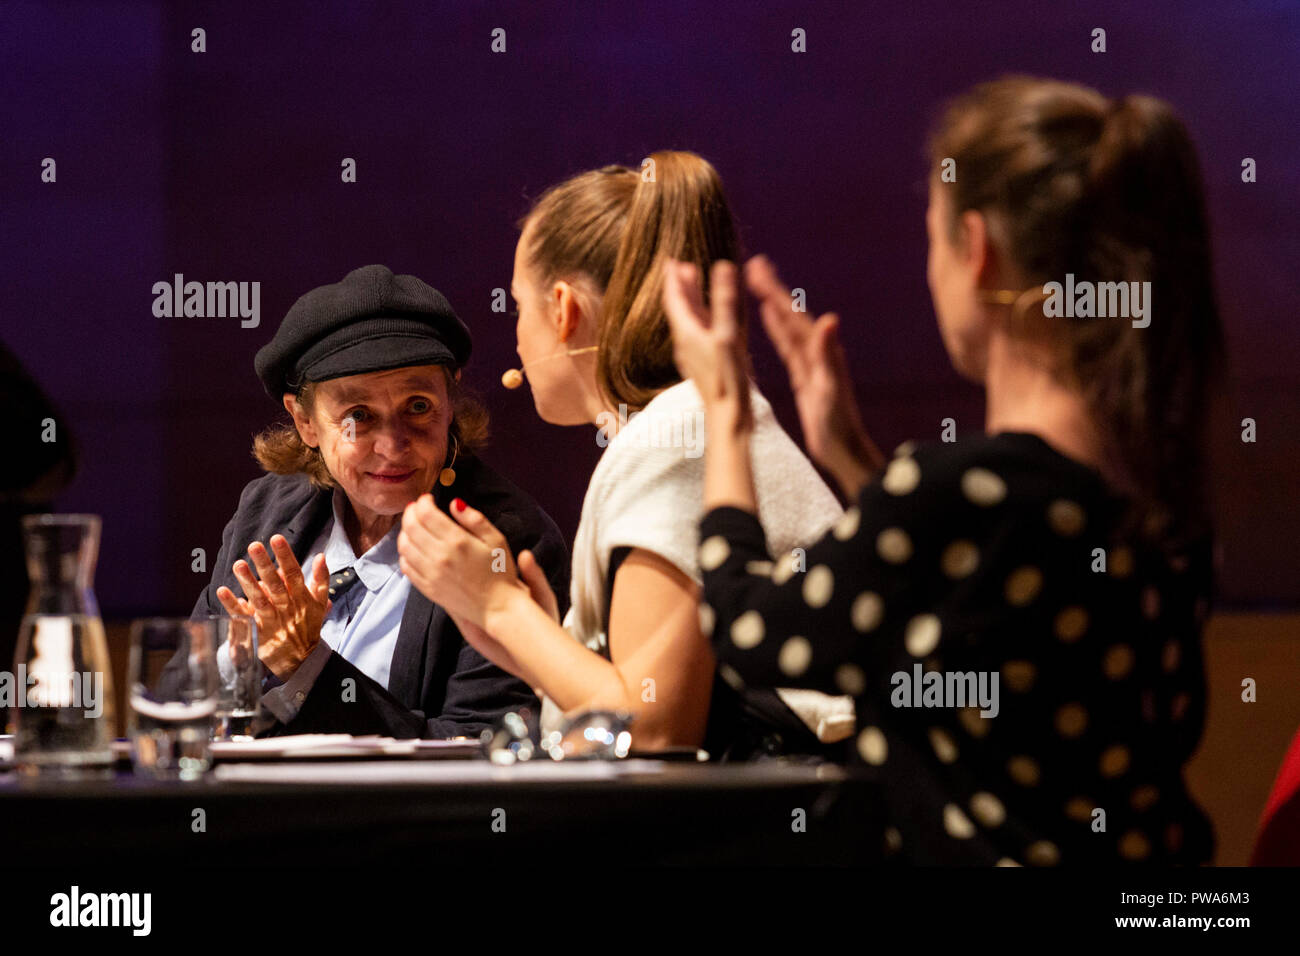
(384, 435)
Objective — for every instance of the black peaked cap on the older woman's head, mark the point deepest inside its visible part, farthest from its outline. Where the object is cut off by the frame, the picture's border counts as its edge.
(371, 322)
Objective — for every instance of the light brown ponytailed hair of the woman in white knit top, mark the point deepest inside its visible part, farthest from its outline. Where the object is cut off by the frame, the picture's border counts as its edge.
(617, 227)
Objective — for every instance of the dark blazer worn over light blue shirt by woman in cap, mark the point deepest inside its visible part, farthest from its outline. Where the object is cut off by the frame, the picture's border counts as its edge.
(439, 686)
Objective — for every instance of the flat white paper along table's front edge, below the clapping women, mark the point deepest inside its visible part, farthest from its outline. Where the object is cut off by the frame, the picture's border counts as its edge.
(434, 772)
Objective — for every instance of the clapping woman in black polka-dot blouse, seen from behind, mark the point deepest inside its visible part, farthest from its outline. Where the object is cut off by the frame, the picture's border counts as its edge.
(1061, 561)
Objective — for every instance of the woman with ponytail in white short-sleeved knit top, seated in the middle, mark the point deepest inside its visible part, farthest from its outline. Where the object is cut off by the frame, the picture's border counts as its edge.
(595, 341)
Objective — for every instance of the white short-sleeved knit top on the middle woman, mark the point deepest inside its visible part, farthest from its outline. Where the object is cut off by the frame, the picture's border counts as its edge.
(648, 492)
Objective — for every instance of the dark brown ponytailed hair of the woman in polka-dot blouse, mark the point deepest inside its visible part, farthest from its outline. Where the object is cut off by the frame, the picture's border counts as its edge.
(1108, 191)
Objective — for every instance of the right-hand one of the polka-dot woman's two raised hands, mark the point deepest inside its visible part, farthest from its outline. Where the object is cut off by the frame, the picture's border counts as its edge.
(820, 379)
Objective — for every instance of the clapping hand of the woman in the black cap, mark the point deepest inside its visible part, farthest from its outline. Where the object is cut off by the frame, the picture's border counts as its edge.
(289, 609)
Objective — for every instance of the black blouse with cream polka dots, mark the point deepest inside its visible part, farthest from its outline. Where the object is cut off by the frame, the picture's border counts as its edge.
(993, 557)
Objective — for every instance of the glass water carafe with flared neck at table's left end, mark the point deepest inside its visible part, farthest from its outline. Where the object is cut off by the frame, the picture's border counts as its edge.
(64, 712)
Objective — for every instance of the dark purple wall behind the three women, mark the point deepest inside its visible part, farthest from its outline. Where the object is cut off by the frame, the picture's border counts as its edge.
(226, 167)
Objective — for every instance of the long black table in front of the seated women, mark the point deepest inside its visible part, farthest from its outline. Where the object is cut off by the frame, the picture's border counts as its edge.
(371, 812)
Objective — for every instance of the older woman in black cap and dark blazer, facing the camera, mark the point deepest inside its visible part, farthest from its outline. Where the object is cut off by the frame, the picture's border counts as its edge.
(369, 371)
